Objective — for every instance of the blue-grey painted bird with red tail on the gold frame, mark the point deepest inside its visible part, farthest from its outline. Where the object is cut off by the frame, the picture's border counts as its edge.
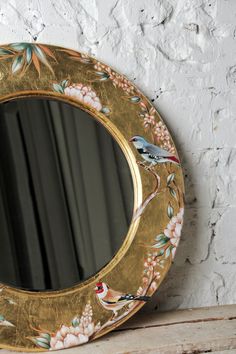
(152, 153)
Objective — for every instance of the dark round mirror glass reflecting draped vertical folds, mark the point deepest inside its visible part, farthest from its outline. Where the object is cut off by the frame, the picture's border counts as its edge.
(66, 195)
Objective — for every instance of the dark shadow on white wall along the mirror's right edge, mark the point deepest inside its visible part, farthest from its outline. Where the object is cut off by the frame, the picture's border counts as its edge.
(175, 291)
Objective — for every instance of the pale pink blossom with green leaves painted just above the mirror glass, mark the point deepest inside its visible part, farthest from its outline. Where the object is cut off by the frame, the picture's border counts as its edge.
(83, 93)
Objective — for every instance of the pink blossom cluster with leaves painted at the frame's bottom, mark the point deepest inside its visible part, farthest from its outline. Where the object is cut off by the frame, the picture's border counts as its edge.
(79, 332)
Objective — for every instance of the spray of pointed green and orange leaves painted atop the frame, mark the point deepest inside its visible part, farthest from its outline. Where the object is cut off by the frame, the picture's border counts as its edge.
(23, 54)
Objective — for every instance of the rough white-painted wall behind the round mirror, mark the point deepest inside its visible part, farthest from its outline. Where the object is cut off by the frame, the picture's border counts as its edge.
(182, 54)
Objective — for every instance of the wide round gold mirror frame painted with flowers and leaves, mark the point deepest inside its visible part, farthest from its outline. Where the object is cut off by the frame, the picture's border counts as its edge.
(32, 321)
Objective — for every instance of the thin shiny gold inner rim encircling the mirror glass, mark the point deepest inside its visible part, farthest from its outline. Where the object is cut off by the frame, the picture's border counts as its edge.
(136, 179)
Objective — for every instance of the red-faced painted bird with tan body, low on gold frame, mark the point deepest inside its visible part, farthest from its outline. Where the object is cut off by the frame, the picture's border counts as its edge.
(113, 300)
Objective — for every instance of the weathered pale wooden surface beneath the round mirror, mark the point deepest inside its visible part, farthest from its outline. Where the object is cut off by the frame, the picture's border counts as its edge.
(178, 332)
